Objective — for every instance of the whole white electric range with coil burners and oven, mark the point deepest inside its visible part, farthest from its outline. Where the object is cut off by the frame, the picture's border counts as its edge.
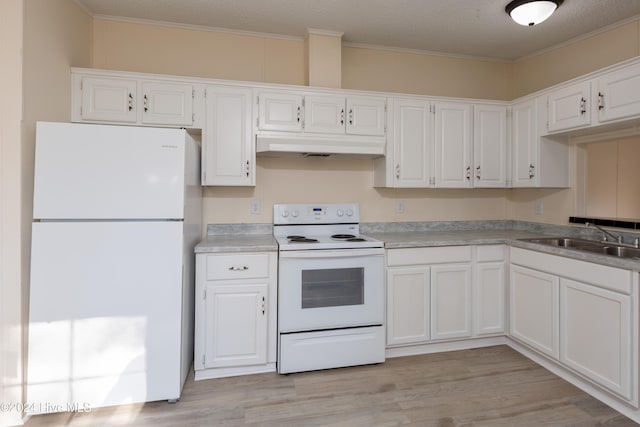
(330, 289)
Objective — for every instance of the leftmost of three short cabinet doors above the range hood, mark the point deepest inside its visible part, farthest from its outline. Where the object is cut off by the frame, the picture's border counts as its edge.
(280, 112)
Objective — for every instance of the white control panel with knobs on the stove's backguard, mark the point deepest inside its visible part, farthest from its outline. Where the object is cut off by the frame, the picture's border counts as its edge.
(333, 213)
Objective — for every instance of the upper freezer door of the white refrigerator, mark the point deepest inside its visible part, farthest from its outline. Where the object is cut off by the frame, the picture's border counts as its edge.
(85, 171)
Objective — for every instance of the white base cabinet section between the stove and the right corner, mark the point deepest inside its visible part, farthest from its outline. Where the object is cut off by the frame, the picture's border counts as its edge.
(433, 294)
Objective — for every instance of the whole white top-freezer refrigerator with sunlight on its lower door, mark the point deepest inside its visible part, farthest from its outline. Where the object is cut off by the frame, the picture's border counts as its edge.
(117, 213)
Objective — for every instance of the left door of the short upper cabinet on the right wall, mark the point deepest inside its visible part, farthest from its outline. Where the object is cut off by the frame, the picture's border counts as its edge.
(568, 107)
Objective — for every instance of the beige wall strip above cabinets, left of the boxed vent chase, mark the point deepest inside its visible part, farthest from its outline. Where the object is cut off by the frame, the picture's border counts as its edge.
(197, 53)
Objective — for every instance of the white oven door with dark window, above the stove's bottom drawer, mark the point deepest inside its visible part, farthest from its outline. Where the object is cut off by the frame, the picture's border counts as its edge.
(328, 289)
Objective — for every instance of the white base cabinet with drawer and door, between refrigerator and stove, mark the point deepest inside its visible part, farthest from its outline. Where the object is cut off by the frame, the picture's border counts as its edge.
(235, 313)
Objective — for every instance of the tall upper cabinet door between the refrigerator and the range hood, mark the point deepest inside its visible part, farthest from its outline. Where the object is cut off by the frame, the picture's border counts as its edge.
(228, 155)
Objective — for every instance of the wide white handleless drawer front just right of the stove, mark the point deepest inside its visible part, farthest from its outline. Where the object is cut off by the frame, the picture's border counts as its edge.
(435, 255)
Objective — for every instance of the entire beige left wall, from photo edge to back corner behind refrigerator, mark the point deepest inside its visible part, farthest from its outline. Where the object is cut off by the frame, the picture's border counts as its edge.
(40, 40)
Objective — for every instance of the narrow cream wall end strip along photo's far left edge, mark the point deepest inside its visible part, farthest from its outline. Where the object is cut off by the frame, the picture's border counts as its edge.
(11, 13)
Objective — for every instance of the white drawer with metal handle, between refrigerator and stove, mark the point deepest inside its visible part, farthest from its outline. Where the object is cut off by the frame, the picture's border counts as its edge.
(237, 266)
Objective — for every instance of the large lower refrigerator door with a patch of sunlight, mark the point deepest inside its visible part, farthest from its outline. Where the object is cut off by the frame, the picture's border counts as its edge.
(105, 322)
